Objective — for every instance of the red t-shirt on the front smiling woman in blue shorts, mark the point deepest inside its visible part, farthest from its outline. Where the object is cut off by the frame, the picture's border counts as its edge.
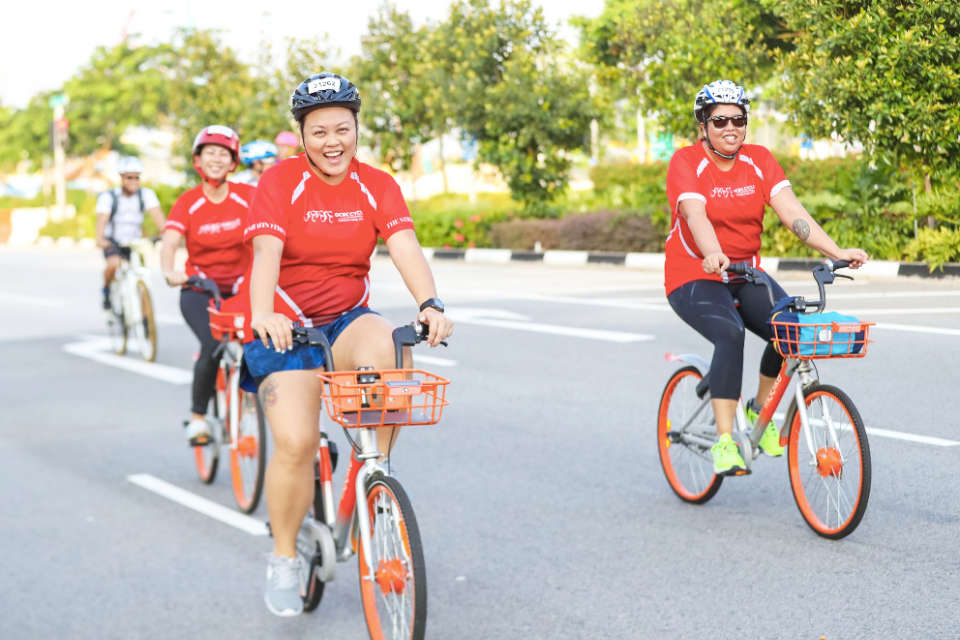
(328, 233)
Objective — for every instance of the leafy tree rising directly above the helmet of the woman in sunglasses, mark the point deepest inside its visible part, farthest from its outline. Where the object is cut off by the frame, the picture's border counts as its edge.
(664, 52)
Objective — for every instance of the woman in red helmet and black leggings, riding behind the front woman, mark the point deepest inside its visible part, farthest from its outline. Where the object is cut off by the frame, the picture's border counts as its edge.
(210, 216)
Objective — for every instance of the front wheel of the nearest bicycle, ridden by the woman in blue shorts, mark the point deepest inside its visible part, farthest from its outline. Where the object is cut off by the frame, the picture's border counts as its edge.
(395, 595)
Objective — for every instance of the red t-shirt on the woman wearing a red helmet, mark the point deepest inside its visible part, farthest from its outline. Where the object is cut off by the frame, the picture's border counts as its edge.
(214, 233)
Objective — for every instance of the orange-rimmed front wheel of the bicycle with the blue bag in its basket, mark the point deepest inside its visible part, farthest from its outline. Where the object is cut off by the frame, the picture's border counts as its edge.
(831, 484)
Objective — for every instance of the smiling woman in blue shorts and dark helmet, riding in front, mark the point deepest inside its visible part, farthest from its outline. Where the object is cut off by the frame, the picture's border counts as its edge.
(313, 225)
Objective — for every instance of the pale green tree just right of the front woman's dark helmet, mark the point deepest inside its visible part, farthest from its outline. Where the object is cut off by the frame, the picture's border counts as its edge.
(402, 87)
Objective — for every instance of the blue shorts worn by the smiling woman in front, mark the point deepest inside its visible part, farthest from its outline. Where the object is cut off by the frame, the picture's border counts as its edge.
(260, 361)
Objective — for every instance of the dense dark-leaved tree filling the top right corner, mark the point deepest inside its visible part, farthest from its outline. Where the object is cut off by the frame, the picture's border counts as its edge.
(881, 72)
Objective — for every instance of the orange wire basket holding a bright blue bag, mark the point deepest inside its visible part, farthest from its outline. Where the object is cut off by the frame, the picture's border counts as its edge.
(821, 340)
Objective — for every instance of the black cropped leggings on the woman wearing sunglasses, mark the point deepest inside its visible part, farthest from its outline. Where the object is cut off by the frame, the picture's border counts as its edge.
(708, 306)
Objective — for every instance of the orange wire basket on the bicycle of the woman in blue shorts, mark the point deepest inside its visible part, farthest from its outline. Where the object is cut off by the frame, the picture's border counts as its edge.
(394, 397)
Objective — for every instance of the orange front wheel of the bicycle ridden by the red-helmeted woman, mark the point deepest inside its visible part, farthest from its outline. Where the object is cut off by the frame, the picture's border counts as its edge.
(248, 456)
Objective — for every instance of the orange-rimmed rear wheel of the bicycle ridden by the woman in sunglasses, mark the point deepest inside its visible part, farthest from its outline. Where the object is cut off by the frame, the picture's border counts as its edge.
(688, 466)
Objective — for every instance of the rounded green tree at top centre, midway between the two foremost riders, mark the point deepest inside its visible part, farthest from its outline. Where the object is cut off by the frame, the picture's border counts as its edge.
(514, 89)
